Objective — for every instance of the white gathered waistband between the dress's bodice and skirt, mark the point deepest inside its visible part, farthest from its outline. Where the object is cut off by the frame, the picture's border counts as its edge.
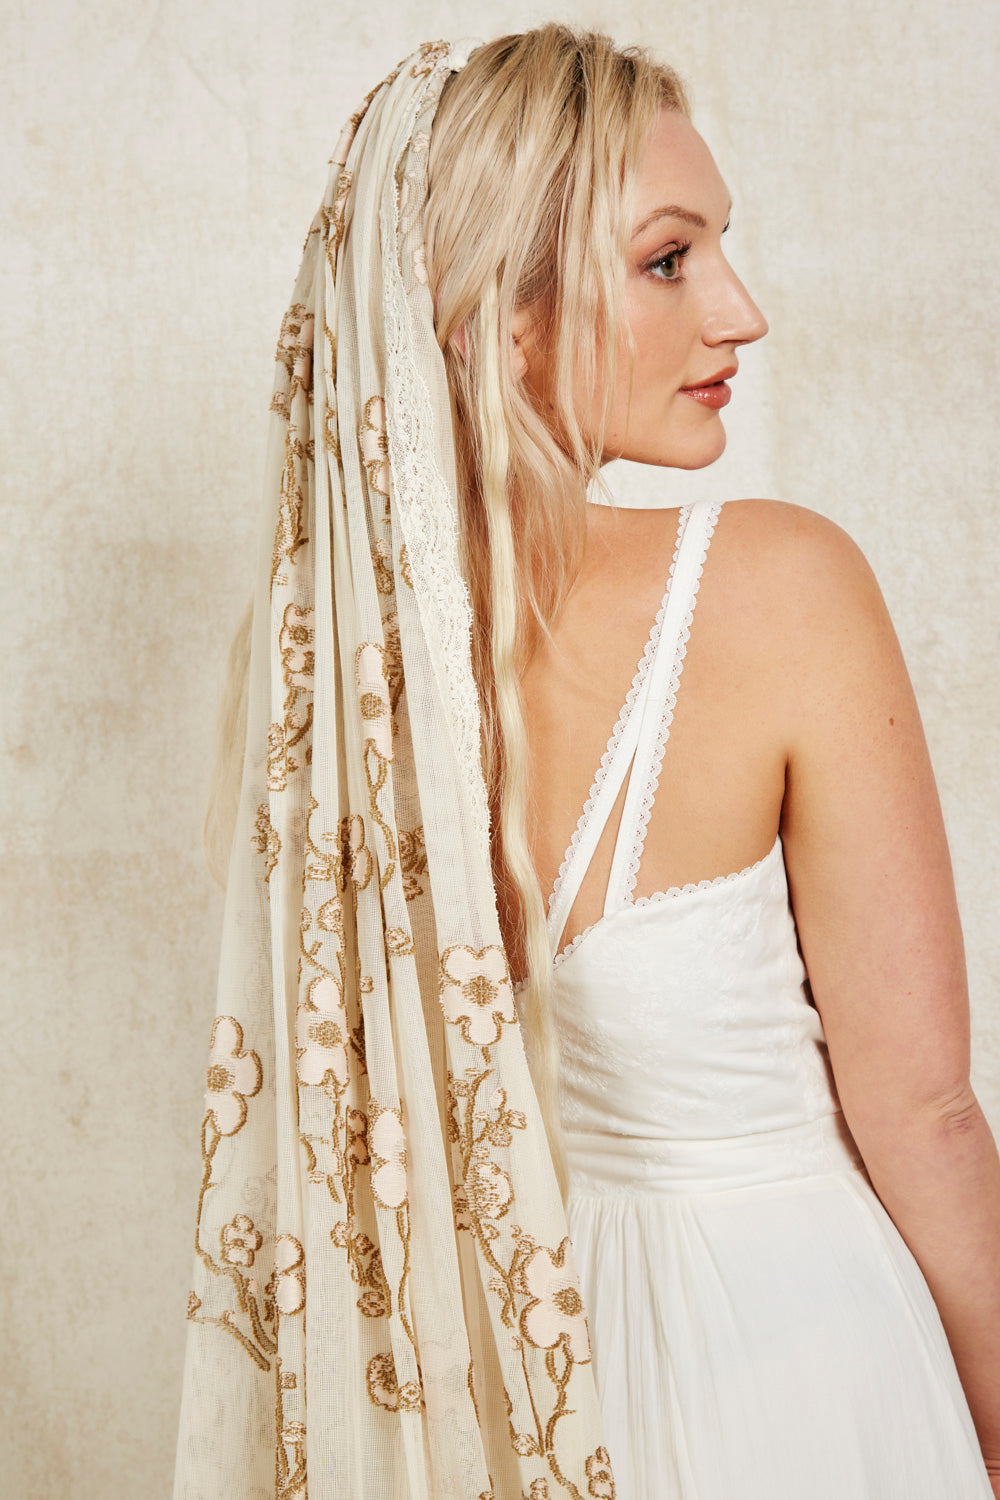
(605, 1163)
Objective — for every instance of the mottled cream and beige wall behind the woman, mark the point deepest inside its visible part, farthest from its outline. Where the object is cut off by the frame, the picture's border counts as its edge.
(166, 164)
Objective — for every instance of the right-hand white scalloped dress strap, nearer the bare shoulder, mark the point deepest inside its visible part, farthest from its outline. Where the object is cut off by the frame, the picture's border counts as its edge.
(660, 685)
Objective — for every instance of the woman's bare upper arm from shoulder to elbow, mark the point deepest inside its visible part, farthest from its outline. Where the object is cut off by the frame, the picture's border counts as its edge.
(866, 850)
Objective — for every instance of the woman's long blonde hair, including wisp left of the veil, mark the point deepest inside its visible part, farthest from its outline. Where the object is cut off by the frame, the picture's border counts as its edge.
(534, 152)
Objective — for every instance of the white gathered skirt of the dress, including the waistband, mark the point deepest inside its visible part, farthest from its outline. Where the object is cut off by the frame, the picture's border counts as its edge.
(761, 1330)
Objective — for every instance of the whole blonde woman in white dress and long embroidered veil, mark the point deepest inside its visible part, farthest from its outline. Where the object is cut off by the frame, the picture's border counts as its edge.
(516, 275)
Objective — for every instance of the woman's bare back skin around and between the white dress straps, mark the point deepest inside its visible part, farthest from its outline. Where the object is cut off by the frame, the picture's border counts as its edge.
(719, 800)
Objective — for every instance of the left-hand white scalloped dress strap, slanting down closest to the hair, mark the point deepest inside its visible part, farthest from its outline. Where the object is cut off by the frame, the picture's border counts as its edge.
(626, 737)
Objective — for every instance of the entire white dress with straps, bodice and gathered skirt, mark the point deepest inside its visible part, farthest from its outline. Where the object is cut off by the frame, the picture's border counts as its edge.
(759, 1328)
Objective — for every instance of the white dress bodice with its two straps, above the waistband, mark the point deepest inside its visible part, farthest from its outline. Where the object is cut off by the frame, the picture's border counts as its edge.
(686, 1015)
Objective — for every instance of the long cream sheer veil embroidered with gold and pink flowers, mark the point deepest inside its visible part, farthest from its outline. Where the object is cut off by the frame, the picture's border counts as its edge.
(385, 1301)
